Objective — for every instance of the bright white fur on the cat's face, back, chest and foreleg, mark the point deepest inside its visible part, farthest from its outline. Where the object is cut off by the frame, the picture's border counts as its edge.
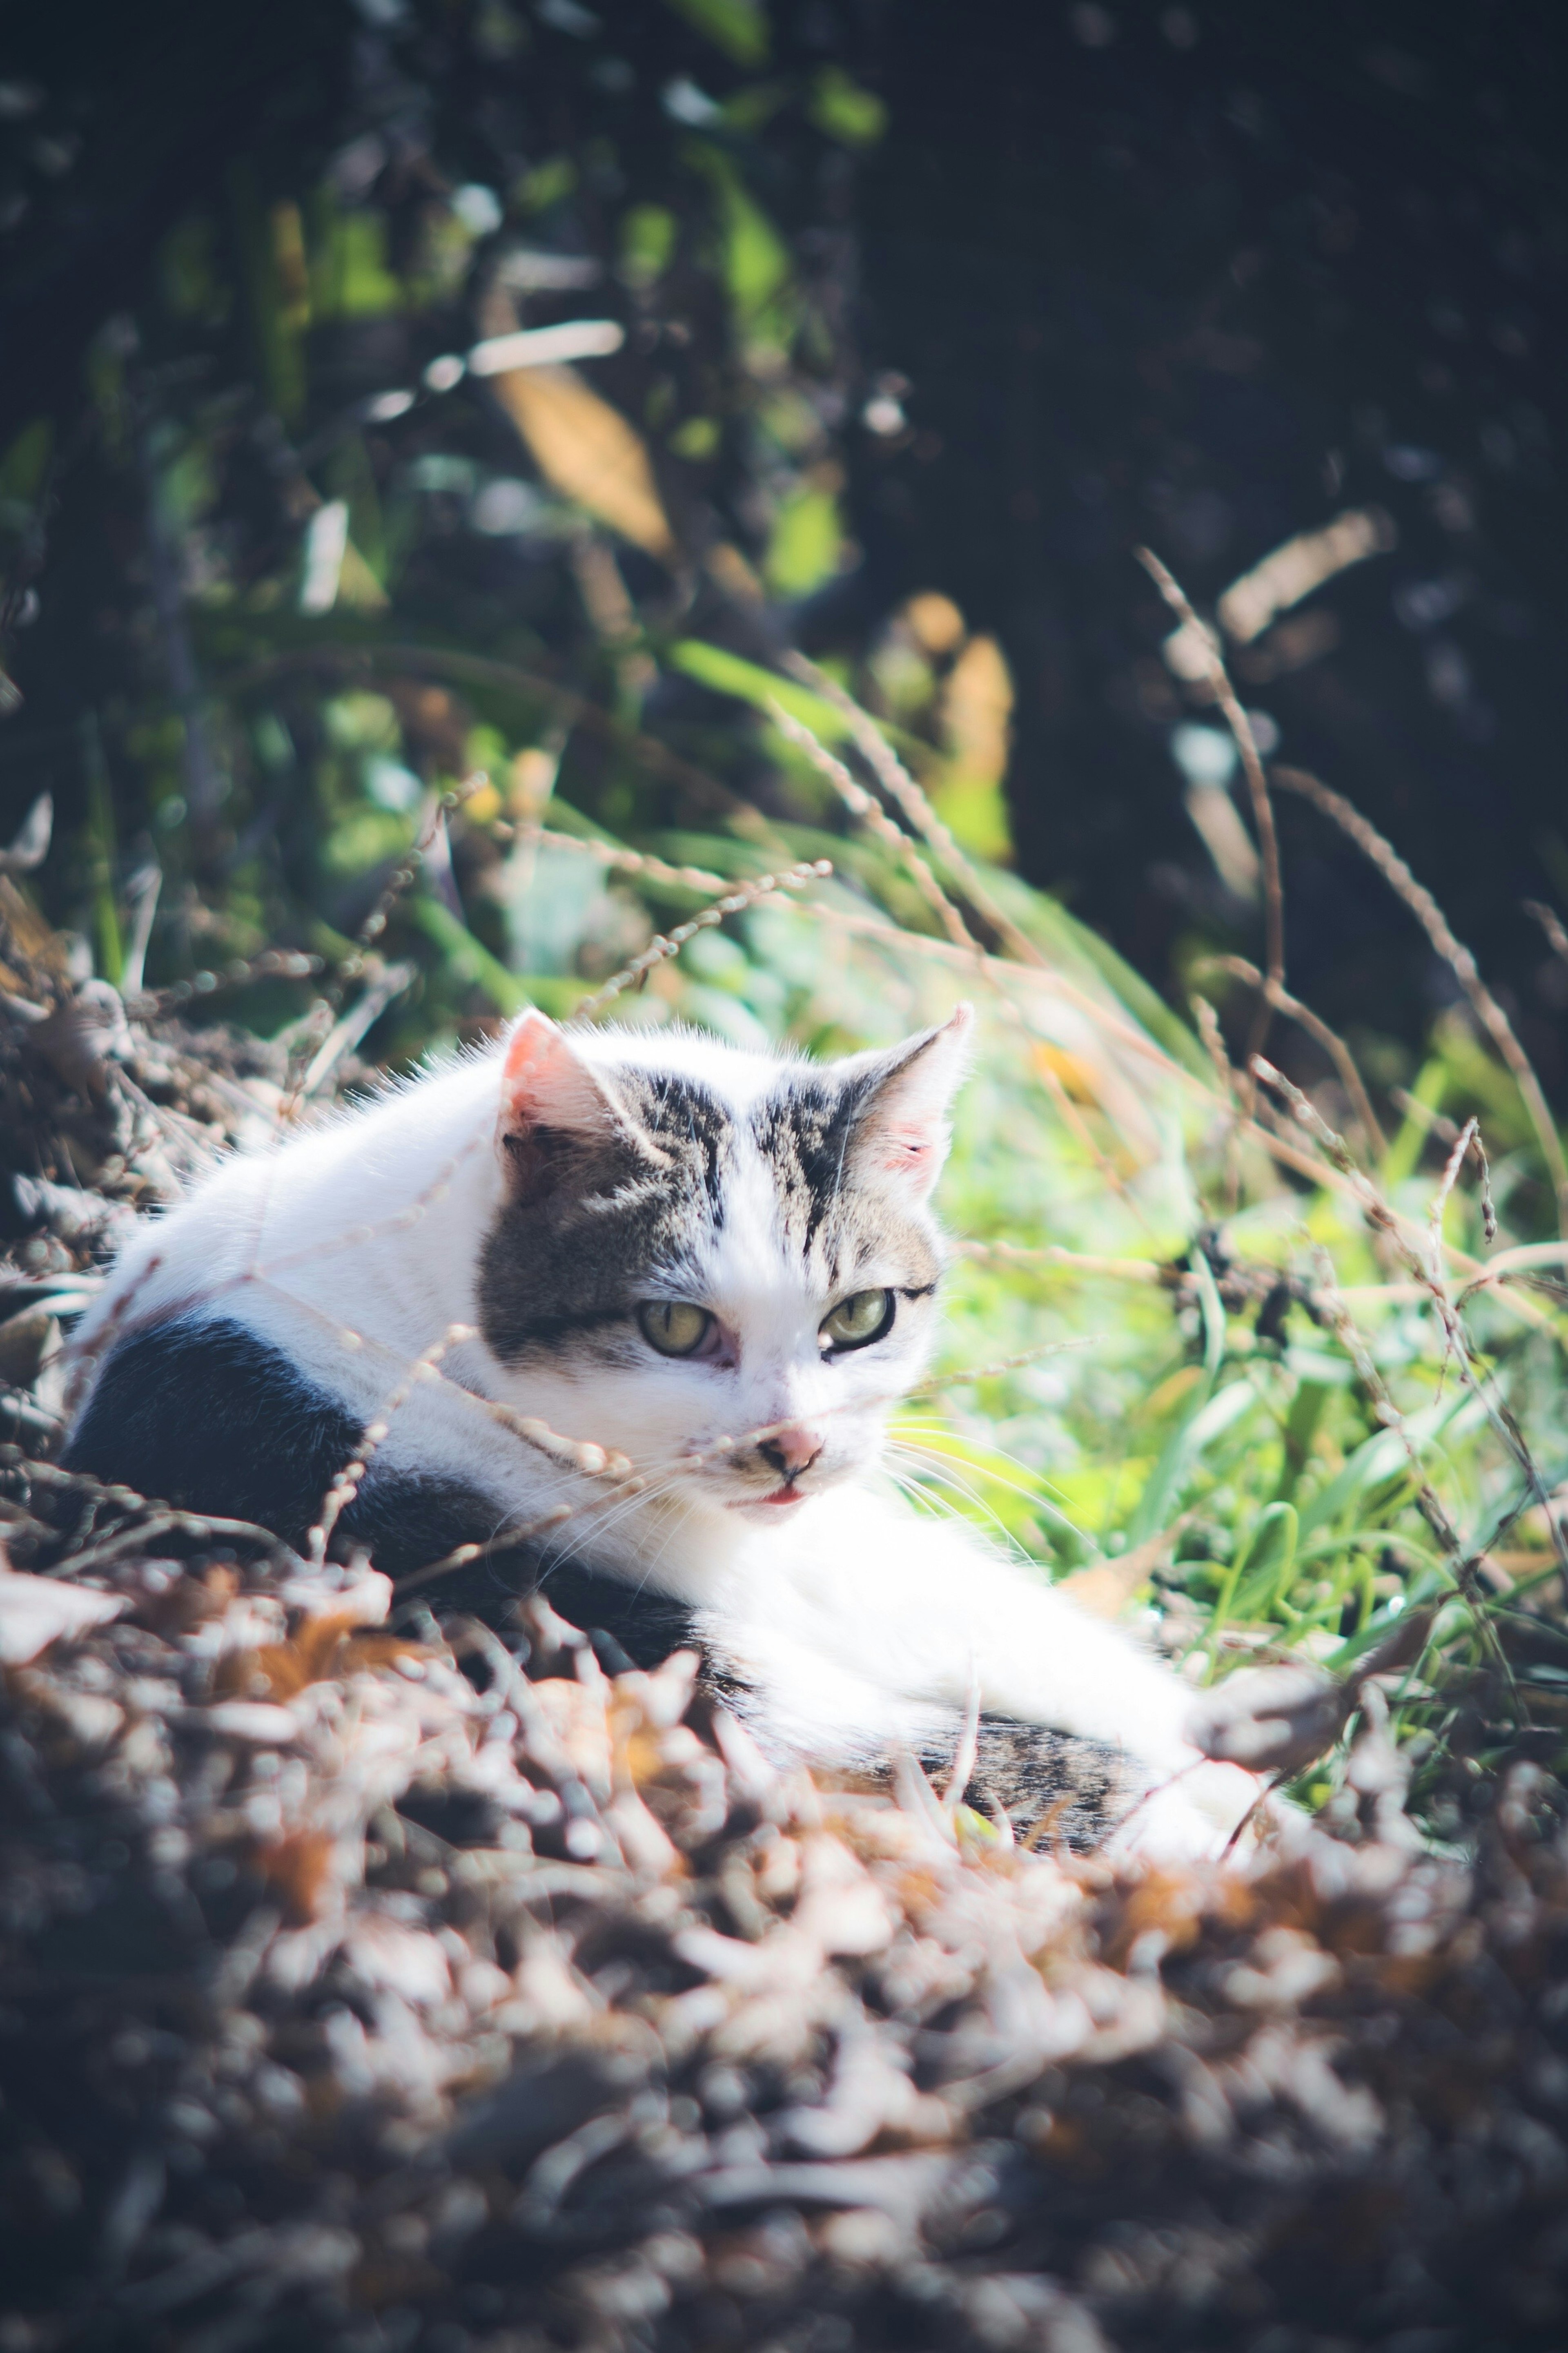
(354, 1248)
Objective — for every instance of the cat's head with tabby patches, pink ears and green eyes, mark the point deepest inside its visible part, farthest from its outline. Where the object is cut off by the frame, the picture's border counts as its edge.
(702, 1246)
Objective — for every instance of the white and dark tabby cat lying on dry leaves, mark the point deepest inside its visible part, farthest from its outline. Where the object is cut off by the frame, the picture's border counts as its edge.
(641, 1302)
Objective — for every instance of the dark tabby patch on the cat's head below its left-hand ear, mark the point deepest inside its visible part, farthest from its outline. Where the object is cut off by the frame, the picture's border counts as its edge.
(591, 1222)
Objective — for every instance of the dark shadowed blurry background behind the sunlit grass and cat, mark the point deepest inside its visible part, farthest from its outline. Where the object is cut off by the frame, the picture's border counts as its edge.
(930, 302)
